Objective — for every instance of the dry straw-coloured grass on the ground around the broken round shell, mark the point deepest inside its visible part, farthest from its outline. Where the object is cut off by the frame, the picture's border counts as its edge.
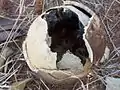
(15, 68)
